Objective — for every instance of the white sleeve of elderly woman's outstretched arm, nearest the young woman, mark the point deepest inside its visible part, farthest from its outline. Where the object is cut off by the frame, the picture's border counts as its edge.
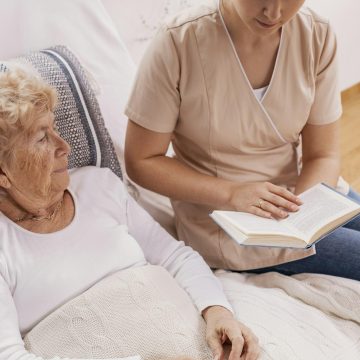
(183, 263)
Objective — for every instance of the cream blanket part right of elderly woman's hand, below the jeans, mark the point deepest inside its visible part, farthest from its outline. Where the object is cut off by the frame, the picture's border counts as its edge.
(305, 316)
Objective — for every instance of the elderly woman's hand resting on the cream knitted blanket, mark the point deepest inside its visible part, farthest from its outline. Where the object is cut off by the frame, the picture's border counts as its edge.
(223, 328)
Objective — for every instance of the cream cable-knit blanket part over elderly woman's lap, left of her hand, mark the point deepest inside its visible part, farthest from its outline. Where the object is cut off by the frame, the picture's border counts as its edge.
(135, 311)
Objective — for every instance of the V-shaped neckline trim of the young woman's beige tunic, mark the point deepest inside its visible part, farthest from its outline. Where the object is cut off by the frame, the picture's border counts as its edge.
(278, 55)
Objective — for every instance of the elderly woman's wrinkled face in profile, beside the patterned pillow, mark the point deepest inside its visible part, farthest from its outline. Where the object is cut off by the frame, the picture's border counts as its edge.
(37, 170)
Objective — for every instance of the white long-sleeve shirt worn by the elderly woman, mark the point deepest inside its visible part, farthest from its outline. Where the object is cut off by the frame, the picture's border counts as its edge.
(109, 232)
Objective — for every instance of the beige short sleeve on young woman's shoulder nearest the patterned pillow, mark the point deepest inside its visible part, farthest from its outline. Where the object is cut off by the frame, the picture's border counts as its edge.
(155, 100)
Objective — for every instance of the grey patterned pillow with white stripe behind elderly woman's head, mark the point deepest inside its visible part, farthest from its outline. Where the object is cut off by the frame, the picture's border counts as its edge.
(77, 116)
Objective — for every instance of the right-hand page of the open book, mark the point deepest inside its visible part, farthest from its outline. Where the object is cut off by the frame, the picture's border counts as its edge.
(321, 206)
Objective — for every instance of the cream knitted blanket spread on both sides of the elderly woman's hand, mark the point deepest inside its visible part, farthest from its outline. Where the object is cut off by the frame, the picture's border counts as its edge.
(143, 311)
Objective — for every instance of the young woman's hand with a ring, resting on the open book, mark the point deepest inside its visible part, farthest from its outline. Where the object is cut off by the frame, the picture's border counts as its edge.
(263, 199)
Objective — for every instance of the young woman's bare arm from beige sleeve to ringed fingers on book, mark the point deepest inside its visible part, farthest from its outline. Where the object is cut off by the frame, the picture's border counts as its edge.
(147, 165)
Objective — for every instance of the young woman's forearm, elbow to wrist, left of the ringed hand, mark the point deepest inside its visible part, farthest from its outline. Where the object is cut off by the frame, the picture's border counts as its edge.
(171, 178)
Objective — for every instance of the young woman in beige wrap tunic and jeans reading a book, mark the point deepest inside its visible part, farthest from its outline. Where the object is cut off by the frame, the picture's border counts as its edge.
(235, 86)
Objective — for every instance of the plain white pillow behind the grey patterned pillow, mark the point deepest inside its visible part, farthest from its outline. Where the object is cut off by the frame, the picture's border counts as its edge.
(87, 29)
